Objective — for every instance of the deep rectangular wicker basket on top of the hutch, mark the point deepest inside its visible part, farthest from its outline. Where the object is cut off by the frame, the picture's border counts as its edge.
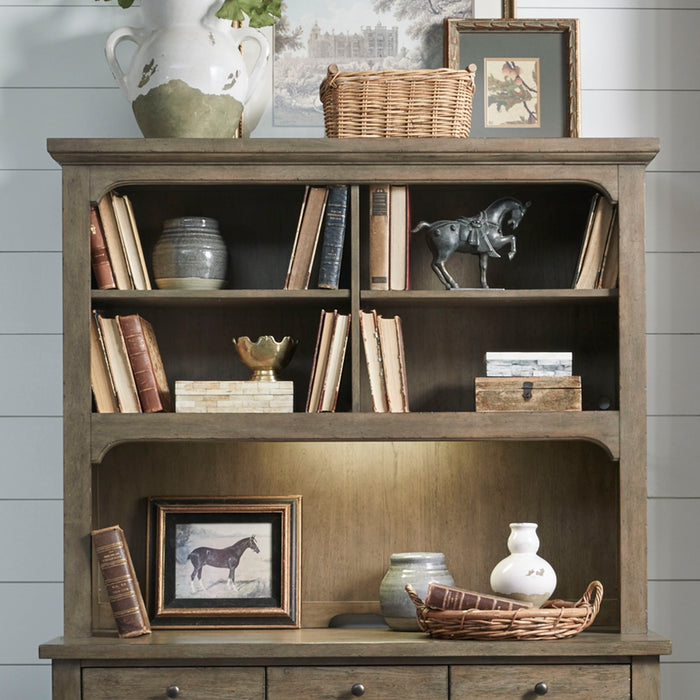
(401, 103)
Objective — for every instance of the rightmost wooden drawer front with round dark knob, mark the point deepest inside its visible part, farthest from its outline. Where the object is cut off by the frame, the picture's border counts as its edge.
(564, 682)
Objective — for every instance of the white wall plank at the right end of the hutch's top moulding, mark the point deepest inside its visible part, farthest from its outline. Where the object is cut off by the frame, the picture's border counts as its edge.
(667, 115)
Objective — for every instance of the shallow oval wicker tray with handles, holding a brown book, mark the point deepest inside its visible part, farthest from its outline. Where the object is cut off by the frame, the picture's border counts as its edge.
(556, 619)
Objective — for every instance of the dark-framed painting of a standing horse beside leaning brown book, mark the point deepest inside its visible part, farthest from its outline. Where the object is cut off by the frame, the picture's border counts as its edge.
(224, 562)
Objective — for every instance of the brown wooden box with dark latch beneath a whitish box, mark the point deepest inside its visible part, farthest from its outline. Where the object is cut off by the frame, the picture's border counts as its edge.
(527, 393)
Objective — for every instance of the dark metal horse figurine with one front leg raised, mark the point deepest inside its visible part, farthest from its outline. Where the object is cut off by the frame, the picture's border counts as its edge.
(481, 235)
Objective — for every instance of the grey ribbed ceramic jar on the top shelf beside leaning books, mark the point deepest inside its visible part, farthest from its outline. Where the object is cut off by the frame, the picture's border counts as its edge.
(190, 254)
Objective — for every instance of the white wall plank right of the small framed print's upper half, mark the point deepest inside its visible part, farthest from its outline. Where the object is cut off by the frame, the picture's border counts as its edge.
(633, 50)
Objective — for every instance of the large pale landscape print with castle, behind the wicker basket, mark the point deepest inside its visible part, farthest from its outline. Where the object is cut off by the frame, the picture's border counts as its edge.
(356, 36)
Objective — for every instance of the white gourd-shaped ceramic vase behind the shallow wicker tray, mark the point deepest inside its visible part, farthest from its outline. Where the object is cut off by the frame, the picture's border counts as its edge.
(524, 575)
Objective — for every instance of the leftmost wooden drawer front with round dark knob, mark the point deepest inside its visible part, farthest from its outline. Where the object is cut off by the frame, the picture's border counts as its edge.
(212, 683)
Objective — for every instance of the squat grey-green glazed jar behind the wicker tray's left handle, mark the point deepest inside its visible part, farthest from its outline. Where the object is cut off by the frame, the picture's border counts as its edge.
(419, 569)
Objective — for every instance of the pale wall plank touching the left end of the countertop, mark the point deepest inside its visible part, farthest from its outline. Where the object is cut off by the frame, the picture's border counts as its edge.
(34, 614)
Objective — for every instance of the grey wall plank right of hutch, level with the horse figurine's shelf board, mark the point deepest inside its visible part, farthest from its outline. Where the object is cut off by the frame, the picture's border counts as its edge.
(673, 281)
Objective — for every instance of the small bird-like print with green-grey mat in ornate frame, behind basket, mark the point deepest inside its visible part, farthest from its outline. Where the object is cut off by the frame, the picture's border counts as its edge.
(527, 79)
